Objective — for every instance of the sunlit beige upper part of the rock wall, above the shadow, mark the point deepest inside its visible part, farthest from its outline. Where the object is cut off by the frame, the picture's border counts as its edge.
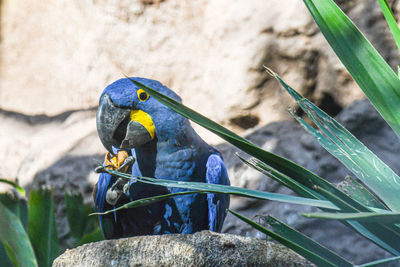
(57, 56)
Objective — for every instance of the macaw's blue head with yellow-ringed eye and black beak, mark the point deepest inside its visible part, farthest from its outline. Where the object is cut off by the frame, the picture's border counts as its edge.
(128, 117)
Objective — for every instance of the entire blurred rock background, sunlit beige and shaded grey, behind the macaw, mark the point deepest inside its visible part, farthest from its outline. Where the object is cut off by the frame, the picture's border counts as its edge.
(57, 56)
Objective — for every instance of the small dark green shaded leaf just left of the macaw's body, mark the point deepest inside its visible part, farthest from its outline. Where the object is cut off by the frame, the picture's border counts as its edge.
(76, 214)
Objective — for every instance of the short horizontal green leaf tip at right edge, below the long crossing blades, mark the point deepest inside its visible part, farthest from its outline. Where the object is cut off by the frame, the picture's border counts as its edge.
(386, 218)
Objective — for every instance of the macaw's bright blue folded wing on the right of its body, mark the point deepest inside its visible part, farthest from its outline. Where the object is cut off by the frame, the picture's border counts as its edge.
(217, 203)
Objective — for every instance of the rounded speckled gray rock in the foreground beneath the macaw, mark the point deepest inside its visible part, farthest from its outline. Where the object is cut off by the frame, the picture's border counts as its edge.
(200, 249)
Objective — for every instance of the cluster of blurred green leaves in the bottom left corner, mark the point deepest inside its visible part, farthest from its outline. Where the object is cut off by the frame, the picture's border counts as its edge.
(28, 232)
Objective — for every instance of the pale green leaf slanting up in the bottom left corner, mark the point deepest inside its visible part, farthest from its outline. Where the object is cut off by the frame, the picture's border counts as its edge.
(15, 240)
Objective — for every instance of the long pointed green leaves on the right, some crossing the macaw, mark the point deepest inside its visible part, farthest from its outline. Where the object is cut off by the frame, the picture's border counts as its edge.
(371, 211)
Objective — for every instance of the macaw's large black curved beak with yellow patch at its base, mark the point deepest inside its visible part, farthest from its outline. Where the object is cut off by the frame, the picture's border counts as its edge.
(119, 128)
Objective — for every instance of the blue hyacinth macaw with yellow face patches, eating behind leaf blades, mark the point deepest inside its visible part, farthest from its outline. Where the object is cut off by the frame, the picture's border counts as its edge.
(164, 145)
